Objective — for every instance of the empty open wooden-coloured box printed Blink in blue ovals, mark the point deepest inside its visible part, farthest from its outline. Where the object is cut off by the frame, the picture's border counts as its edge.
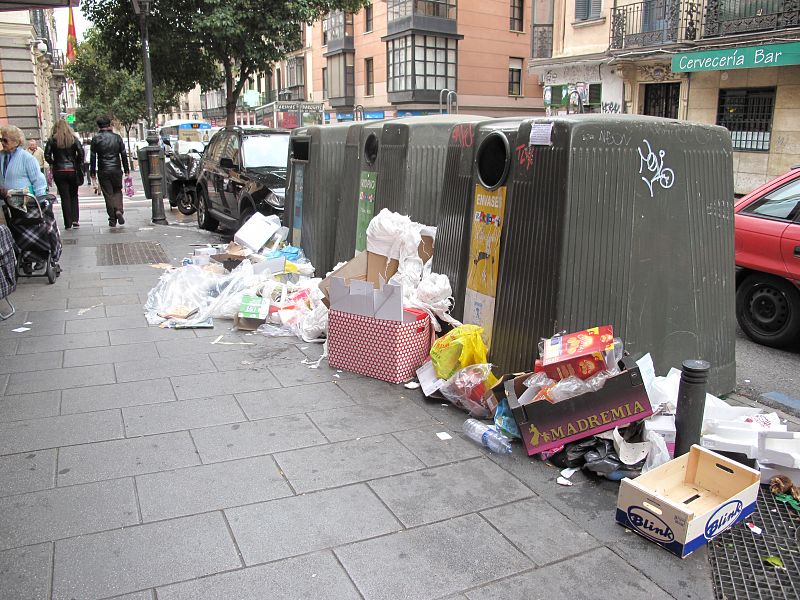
(688, 501)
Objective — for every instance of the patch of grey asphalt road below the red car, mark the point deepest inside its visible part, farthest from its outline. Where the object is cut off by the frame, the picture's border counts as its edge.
(761, 370)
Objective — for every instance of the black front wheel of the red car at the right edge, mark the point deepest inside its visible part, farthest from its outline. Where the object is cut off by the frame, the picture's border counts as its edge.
(768, 310)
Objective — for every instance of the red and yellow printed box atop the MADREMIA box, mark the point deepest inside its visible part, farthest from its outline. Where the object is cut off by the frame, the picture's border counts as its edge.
(581, 353)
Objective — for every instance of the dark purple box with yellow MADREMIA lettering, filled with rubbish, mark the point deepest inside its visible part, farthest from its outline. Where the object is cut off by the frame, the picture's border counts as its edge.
(543, 425)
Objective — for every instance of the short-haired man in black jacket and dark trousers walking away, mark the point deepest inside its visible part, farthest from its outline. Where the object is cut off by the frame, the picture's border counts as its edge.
(108, 161)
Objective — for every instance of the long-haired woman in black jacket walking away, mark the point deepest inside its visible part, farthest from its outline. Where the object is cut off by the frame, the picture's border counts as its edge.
(64, 153)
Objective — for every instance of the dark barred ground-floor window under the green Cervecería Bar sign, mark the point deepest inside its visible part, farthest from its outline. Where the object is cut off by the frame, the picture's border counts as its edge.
(747, 114)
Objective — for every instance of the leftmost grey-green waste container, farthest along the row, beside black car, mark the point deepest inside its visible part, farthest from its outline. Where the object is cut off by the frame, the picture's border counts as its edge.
(316, 162)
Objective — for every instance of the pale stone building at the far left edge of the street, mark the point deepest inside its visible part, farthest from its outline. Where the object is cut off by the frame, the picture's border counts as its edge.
(31, 72)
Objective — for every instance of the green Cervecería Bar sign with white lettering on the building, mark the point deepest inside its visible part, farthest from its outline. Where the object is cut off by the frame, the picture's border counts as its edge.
(772, 55)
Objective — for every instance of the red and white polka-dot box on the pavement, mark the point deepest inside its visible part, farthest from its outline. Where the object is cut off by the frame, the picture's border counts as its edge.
(387, 350)
